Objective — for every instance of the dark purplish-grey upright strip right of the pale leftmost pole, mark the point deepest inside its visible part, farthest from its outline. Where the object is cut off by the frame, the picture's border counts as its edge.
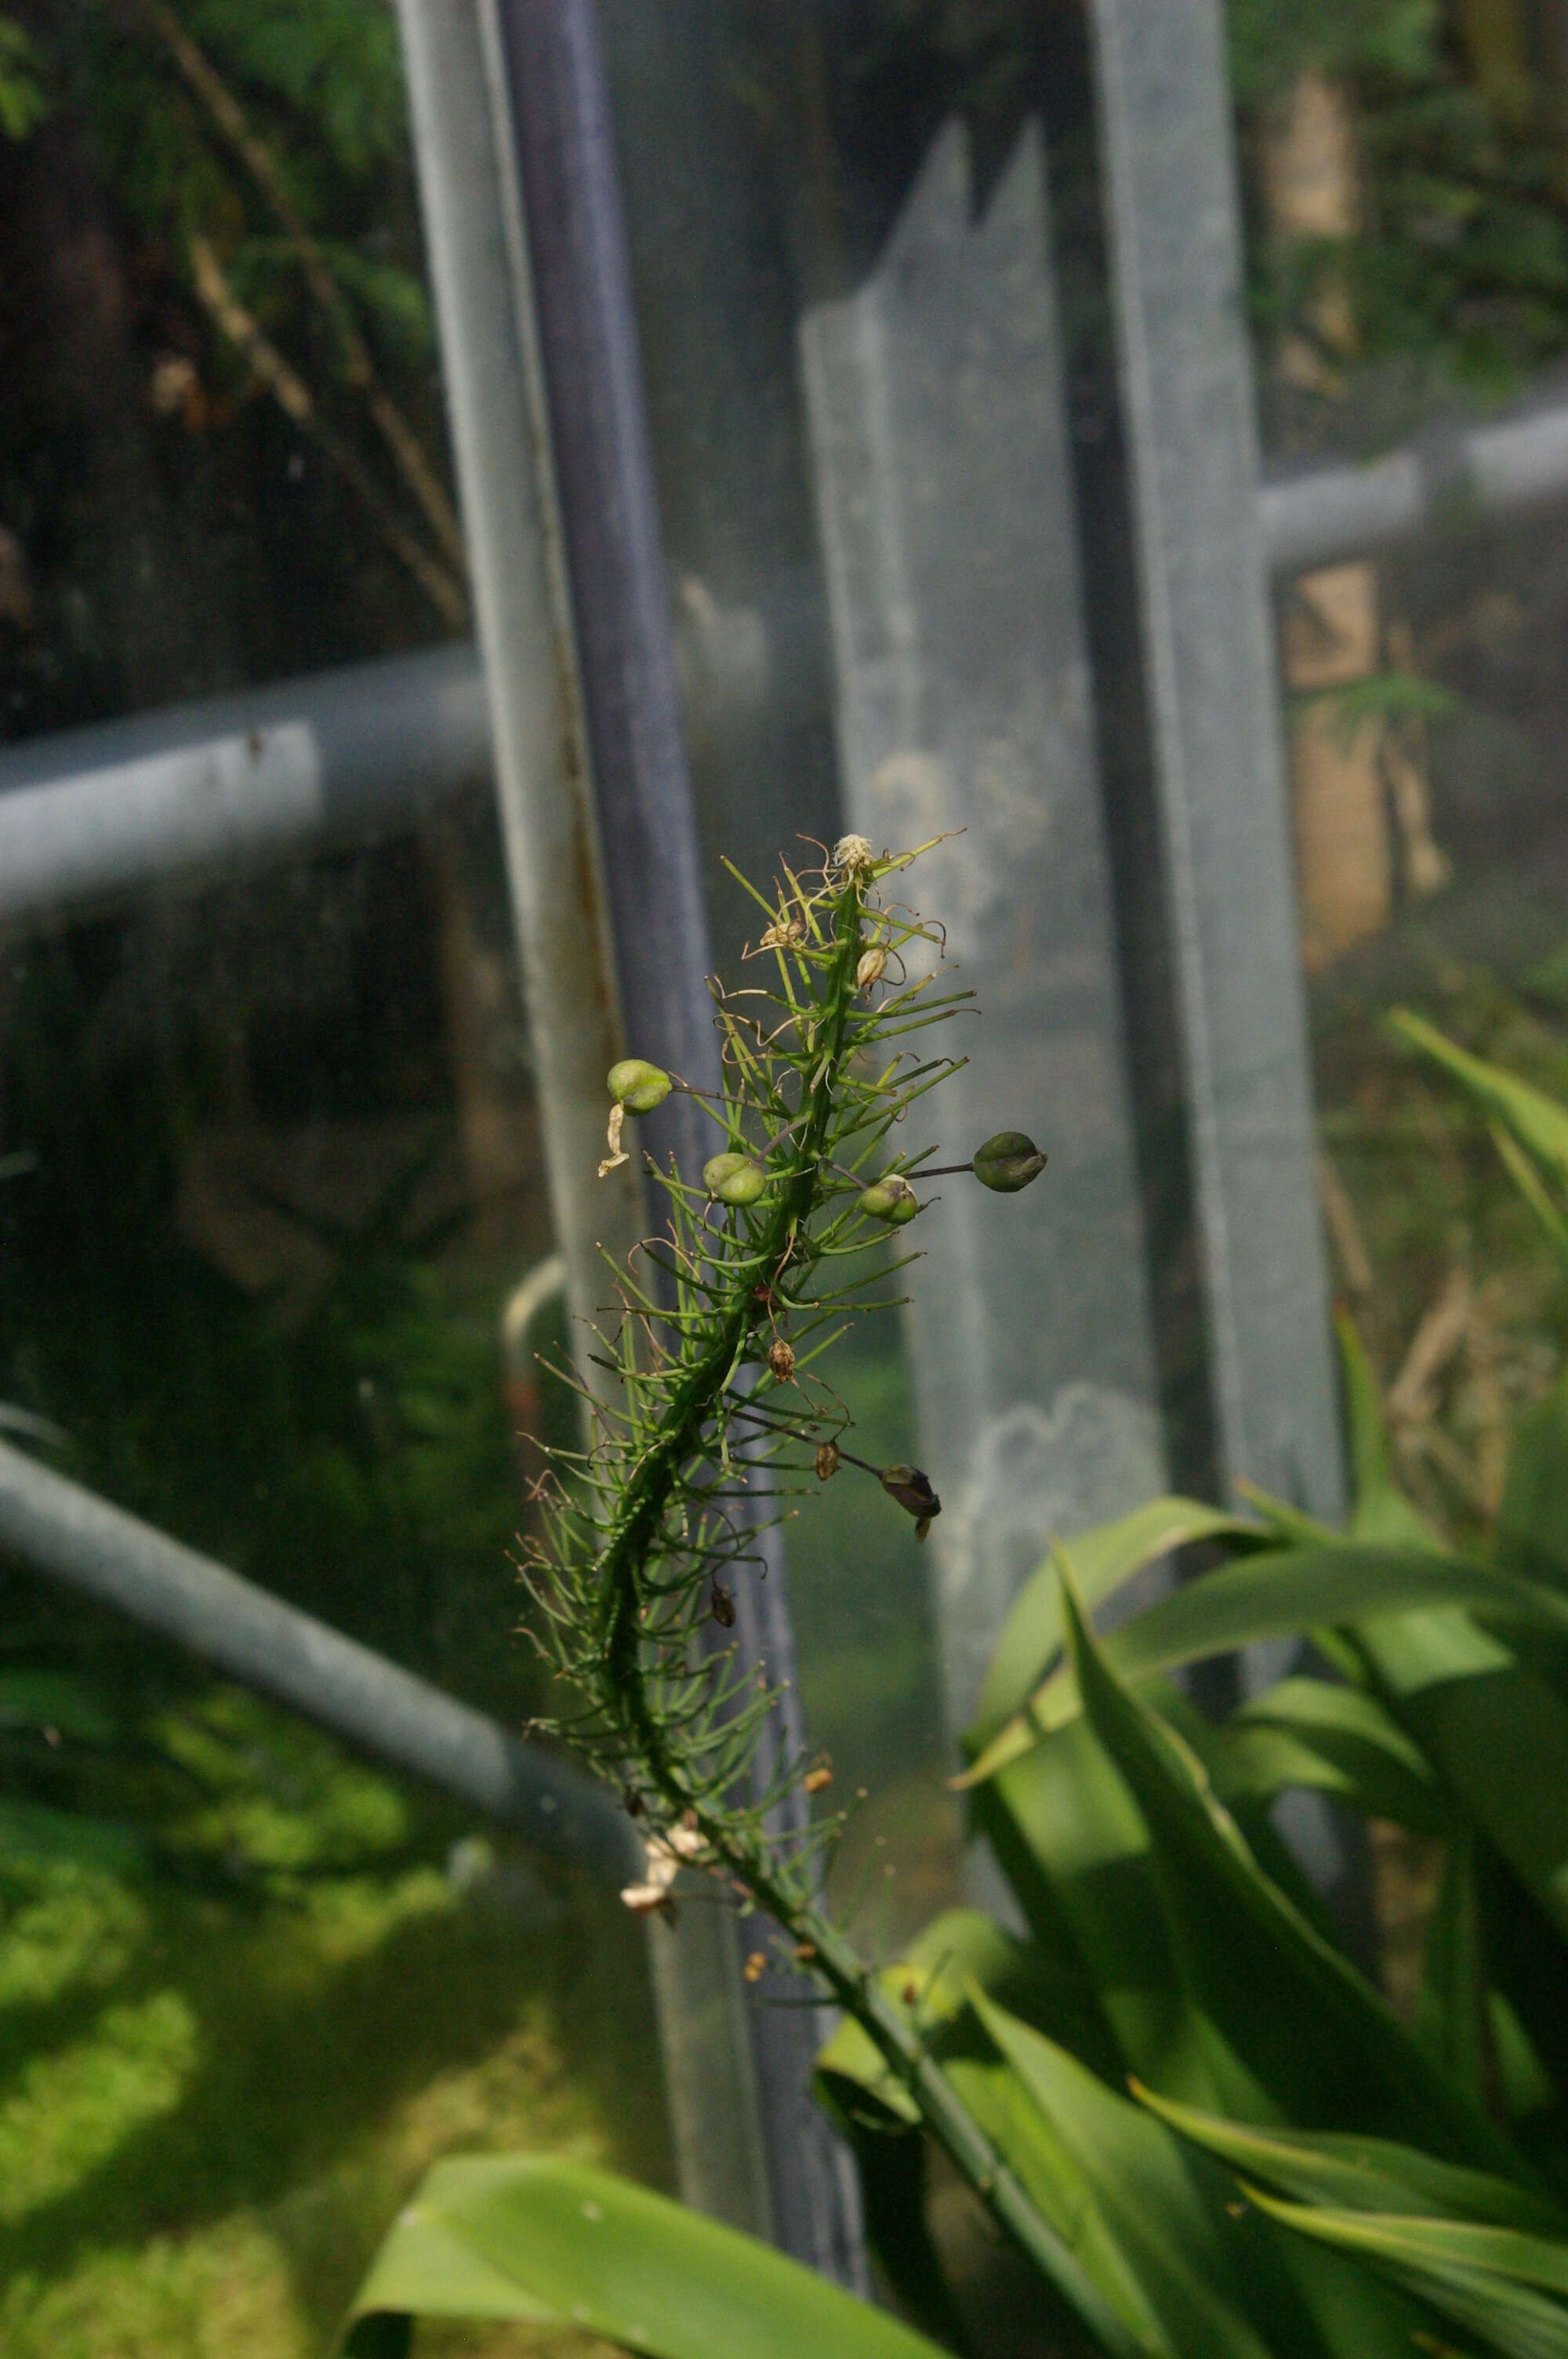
(602, 456)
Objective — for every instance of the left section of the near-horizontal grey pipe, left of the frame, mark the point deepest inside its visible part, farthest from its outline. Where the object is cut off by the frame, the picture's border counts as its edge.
(237, 782)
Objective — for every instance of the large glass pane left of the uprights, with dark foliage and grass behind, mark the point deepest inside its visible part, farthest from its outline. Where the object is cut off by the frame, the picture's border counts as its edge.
(270, 1202)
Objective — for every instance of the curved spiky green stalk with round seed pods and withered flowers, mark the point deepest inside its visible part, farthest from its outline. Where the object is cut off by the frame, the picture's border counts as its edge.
(687, 1464)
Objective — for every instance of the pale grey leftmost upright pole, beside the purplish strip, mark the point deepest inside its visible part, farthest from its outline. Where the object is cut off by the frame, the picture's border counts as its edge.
(501, 435)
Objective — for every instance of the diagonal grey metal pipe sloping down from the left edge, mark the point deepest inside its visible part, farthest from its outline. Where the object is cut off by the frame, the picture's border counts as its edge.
(67, 1535)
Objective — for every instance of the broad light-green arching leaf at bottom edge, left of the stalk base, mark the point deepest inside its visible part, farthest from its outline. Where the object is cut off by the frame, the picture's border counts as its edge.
(560, 2245)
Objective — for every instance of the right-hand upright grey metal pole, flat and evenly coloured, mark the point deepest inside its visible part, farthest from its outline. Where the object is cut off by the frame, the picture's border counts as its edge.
(1220, 777)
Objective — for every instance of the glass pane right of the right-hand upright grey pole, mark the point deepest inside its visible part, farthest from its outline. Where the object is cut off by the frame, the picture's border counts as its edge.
(1409, 265)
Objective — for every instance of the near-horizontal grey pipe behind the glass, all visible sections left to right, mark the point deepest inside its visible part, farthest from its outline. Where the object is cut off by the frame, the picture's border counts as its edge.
(95, 815)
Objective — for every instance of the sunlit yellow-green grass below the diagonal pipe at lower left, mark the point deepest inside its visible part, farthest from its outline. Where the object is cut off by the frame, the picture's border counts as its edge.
(211, 2110)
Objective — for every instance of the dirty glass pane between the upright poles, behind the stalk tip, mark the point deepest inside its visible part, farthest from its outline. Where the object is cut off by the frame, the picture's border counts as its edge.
(874, 334)
